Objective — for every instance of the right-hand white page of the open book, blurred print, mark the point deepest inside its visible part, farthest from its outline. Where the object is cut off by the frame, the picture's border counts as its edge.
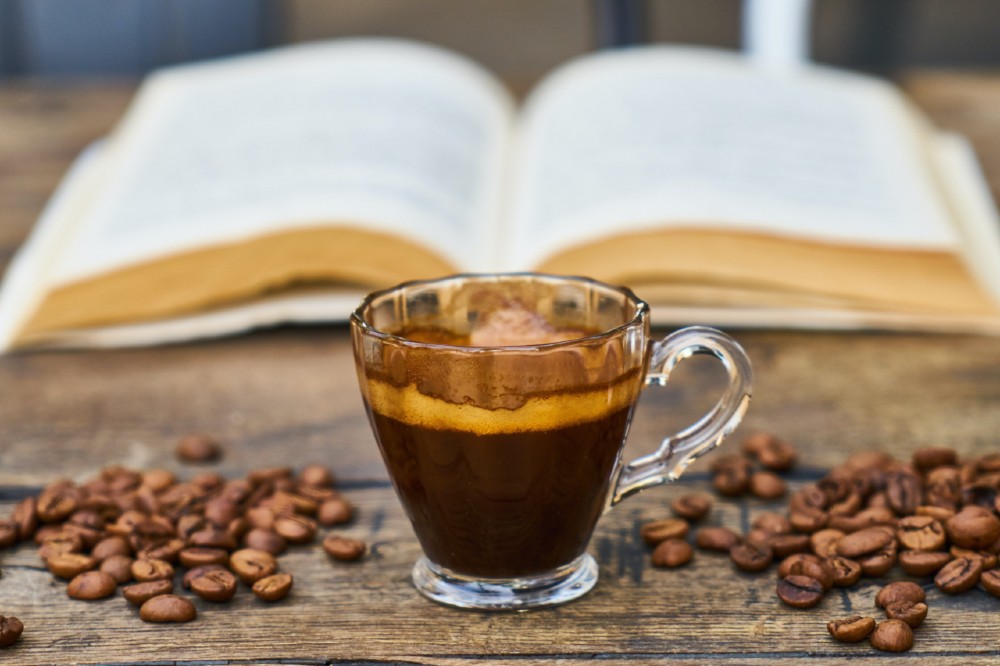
(659, 136)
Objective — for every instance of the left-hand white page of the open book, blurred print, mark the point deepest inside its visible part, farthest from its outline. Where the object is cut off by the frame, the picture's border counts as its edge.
(378, 134)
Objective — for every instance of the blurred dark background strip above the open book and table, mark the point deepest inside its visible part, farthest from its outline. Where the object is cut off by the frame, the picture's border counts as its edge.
(518, 39)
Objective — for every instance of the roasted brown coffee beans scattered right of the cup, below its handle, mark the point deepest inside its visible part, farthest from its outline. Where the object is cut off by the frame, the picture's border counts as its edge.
(934, 516)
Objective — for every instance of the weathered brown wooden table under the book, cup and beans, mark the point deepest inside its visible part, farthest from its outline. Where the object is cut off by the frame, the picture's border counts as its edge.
(289, 397)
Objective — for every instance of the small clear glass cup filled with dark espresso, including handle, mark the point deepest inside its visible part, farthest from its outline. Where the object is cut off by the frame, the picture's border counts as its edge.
(501, 405)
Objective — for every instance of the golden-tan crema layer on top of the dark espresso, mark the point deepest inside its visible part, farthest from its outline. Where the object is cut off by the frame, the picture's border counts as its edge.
(545, 412)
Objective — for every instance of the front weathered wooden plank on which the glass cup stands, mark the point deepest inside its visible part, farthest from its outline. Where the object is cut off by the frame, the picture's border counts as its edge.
(369, 611)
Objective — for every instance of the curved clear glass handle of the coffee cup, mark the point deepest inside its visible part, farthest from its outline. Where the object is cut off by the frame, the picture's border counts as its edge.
(678, 451)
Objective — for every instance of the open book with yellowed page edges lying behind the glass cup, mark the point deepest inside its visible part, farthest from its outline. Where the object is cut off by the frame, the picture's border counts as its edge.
(282, 186)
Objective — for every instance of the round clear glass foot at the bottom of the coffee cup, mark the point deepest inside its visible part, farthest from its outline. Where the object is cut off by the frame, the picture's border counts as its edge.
(505, 594)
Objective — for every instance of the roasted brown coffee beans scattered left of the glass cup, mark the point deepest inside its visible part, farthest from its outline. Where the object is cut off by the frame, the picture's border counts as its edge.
(140, 529)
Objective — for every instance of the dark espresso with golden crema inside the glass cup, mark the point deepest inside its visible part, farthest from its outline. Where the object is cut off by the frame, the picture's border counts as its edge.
(502, 493)
